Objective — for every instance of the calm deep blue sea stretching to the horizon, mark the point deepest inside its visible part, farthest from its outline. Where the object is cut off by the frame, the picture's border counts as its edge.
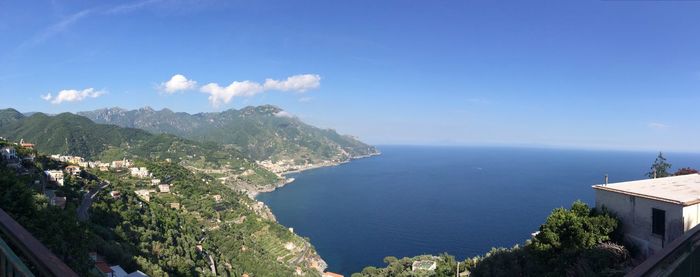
(428, 200)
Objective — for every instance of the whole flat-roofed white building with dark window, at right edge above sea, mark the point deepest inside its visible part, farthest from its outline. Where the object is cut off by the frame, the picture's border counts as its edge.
(653, 212)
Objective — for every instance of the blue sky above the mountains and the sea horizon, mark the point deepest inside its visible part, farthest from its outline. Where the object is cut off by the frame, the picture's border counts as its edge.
(585, 74)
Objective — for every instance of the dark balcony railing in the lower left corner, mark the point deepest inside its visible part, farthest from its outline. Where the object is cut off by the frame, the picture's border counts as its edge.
(38, 256)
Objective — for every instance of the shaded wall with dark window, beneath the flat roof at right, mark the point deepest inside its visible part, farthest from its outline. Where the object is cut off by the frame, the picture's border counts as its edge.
(635, 215)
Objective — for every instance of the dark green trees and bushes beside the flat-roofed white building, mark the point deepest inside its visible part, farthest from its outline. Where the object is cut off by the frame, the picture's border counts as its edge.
(579, 241)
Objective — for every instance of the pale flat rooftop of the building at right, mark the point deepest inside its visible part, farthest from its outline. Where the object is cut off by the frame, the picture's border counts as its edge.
(683, 190)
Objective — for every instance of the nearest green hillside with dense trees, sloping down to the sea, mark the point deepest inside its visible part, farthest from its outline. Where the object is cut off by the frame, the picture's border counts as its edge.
(213, 226)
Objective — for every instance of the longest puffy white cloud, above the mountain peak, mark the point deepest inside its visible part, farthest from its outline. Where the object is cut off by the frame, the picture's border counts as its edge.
(223, 95)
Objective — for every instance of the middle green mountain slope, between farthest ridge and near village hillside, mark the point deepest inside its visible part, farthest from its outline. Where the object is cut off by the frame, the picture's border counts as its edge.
(71, 134)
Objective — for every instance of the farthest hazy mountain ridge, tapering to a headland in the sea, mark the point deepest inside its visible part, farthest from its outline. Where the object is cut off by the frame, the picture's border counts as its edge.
(262, 133)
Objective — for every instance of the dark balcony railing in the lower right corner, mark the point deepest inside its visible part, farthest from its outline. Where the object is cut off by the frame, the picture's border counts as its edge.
(679, 258)
